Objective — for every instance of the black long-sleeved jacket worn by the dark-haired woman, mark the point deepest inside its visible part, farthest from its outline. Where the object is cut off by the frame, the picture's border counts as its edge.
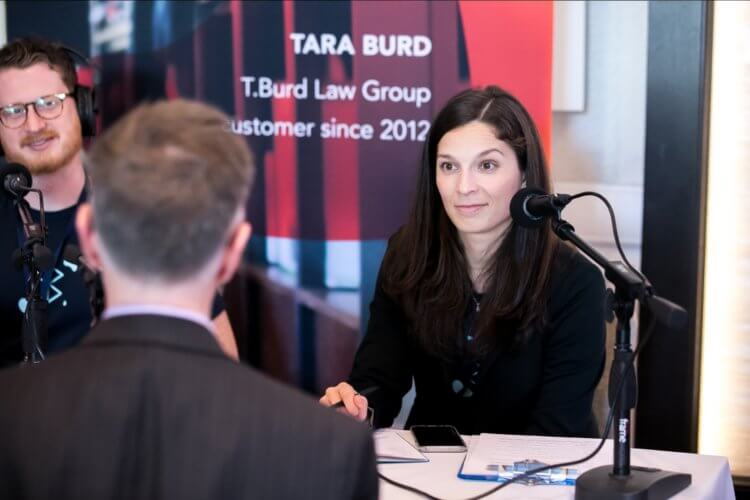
(545, 387)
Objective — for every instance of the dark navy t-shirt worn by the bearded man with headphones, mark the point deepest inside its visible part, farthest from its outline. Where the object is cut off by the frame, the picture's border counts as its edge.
(68, 311)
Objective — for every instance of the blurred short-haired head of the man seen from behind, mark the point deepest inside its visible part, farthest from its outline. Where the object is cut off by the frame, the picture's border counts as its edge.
(168, 183)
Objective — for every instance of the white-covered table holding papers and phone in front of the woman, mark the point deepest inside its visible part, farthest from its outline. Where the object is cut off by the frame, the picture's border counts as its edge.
(711, 476)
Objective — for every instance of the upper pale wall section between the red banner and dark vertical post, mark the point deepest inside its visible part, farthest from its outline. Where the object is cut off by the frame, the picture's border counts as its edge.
(605, 143)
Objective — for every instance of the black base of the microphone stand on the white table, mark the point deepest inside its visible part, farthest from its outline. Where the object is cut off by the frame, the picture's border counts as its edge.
(643, 483)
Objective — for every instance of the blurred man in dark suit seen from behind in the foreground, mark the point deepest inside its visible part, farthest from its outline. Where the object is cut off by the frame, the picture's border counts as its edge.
(149, 406)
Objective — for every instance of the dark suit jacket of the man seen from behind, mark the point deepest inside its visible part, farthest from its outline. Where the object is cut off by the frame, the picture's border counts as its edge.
(149, 407)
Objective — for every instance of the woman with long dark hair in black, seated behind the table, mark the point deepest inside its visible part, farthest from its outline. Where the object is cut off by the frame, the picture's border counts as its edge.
(500, 327)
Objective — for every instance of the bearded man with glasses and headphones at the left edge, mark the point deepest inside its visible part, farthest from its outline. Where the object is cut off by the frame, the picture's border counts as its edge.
(44, 114)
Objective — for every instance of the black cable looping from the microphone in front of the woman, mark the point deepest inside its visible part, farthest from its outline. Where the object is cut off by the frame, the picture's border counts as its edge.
(610, 415)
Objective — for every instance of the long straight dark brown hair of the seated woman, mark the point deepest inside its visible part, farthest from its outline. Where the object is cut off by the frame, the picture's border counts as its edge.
(425, 268)
